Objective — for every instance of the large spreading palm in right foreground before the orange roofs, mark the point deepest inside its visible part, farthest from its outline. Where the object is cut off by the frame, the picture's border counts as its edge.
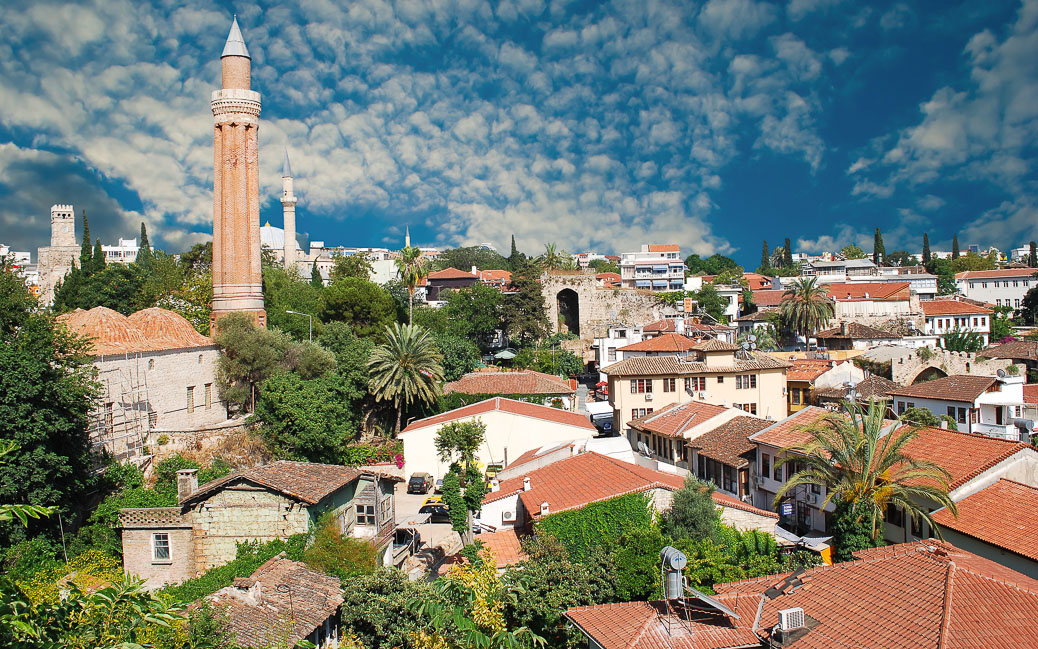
(860, 464)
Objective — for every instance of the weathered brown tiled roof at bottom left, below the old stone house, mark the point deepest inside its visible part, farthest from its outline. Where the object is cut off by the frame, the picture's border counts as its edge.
(279, 617)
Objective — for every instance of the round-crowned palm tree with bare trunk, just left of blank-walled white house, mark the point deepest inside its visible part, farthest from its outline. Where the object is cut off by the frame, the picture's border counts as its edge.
(406, 368)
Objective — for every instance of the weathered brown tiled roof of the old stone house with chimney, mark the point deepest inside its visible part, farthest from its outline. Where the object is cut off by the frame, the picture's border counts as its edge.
(305, 481)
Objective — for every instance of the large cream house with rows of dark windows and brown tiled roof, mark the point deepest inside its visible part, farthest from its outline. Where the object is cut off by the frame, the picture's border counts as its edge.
(711, 371)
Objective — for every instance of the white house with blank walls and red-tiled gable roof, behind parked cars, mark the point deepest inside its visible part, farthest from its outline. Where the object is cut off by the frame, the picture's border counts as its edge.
(513, 428)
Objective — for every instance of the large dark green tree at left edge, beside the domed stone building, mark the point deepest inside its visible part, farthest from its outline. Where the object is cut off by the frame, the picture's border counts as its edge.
(47, 390)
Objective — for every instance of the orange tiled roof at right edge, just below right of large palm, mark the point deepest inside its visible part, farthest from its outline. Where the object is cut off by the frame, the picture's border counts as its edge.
(1002, 516)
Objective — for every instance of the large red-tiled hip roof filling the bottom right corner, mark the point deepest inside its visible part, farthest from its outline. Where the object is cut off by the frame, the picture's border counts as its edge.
(921, 596)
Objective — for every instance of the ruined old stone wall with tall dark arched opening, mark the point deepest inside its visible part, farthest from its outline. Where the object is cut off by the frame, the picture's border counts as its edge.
(599, 308)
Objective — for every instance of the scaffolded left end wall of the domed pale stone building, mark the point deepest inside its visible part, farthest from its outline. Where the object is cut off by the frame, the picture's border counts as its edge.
(121, 422)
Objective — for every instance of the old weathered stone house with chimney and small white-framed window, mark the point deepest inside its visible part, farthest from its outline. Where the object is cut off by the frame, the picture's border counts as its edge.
(170, 545)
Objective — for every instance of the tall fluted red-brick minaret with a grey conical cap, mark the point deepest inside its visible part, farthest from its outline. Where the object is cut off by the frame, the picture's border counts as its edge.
(237, 275)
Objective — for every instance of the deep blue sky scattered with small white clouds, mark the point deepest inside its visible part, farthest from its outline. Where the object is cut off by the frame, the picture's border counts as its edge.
(596, 125)
